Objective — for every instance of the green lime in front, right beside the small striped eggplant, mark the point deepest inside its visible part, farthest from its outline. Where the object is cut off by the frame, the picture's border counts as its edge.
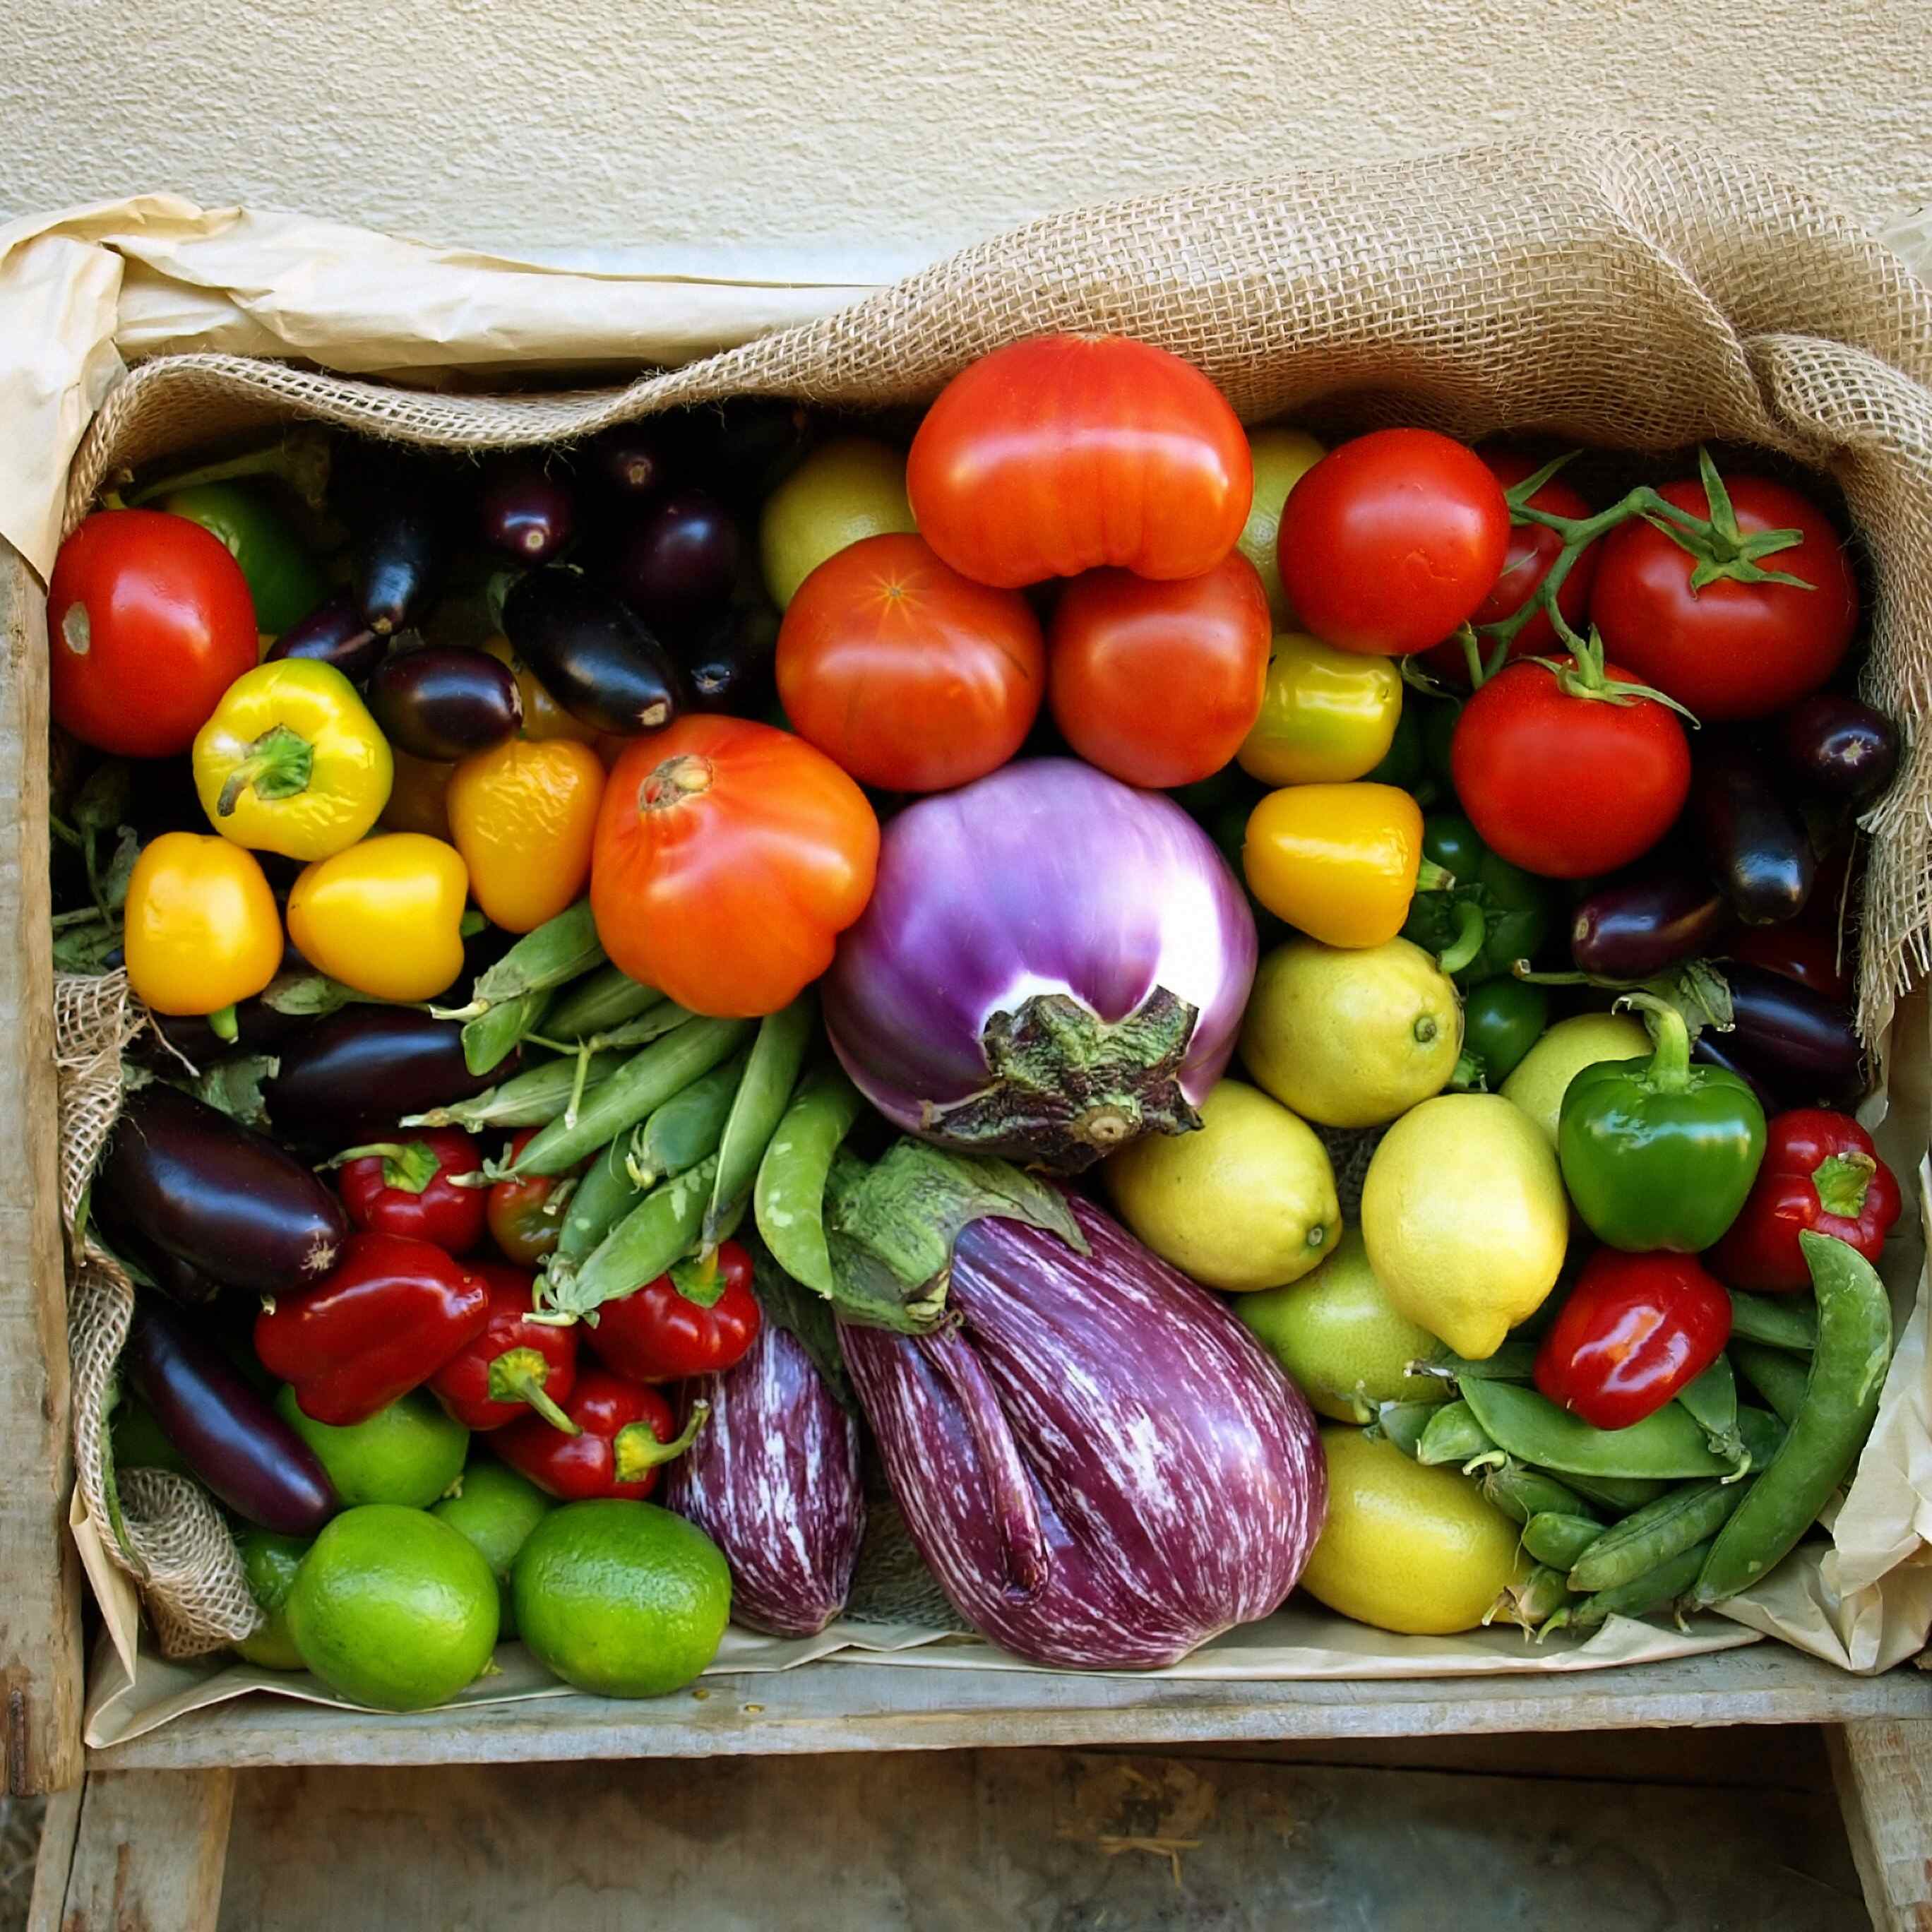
(621, 1599)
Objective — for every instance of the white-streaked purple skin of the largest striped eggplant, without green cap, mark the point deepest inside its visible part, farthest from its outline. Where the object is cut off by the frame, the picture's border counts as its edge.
(1100, 1463)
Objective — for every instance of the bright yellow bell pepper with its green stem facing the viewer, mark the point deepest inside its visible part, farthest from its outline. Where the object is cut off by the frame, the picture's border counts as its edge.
(291, 762)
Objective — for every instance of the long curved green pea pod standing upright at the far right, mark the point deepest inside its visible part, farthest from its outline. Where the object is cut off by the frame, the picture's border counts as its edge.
(1848, 1375)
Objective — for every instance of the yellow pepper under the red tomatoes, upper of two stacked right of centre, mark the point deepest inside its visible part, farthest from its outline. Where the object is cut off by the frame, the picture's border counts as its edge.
(1326, 714)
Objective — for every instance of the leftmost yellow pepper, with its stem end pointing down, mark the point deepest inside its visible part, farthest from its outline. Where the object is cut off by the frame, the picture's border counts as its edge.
(202, 928)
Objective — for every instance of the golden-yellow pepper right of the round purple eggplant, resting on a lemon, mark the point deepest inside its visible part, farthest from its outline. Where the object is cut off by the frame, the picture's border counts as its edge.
(1338, 861)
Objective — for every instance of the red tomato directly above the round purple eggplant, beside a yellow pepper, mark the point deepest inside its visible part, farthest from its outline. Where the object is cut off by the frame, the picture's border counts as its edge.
(1160, 683)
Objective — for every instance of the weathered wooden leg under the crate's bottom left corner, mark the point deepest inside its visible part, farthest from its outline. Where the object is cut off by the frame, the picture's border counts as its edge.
(134, 1850)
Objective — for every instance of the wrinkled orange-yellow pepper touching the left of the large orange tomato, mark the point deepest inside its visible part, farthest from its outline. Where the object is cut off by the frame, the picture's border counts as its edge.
(525, 816)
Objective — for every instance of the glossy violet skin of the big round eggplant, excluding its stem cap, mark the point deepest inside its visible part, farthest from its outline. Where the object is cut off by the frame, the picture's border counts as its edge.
(1044, 878)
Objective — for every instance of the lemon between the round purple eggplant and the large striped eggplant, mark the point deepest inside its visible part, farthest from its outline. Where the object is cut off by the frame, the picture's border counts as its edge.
(1247, 1203)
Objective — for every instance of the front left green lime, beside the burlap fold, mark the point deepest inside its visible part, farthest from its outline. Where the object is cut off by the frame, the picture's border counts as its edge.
(393, 1608)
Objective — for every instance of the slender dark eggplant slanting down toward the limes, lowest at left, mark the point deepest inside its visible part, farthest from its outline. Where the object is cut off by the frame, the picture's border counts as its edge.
(225, 1431)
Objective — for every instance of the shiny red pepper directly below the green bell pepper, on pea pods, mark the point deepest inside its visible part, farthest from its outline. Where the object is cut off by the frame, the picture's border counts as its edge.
(1635, 1330)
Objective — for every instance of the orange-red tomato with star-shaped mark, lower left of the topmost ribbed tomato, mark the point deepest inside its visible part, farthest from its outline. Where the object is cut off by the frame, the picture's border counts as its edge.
(905, 673)
